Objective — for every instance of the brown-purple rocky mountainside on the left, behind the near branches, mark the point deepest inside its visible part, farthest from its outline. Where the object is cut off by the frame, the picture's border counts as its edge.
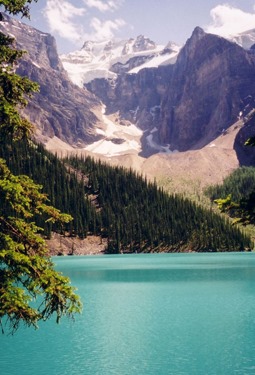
(60, 108)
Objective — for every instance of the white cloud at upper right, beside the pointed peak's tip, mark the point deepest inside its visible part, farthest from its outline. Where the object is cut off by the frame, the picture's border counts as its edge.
(227, 20)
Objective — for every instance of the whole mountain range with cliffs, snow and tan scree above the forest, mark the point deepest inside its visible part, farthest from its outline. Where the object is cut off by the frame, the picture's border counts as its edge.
(179, 115)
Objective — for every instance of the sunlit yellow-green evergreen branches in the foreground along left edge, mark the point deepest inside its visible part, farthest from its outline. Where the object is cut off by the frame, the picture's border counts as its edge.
(30, 288)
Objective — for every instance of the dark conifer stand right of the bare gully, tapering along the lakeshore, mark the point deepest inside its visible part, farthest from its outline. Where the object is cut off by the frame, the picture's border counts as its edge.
(138, 216)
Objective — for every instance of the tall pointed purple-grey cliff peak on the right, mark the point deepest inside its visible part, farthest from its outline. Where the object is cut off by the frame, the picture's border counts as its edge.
(210, 82)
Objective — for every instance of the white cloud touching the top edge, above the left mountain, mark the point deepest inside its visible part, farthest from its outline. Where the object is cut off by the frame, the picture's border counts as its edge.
(60, 15)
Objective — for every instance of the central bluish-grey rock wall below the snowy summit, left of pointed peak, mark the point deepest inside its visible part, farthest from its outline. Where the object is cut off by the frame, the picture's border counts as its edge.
(136, 97)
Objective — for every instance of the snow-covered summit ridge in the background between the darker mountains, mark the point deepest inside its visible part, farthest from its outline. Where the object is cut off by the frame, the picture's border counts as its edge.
(108, 58)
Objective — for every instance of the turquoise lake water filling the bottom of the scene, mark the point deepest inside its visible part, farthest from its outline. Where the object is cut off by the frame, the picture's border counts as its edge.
(155, 314)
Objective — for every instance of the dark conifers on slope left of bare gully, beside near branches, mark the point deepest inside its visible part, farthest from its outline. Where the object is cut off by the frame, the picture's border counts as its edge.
(63, 188)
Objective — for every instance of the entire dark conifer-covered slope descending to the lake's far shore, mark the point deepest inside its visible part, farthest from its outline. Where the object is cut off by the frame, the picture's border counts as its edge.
(120, 205)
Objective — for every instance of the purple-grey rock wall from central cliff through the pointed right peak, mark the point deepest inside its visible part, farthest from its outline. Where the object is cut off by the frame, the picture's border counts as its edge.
(191, 102)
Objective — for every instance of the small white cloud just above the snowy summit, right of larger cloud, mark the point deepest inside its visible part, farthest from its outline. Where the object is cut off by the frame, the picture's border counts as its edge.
(105, 29)
